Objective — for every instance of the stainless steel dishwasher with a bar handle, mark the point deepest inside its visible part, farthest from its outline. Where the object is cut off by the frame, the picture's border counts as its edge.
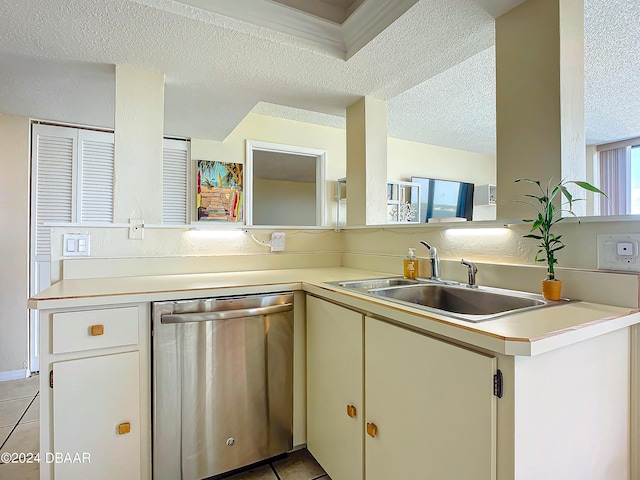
(222, 383)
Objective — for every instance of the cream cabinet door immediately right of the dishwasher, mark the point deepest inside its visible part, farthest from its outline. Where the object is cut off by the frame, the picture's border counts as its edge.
(334, 383)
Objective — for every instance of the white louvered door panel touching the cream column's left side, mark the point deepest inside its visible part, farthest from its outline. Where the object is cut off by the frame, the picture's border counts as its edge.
(96, 176)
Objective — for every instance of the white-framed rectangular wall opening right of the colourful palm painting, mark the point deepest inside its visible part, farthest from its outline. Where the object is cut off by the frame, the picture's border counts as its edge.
(284, 185)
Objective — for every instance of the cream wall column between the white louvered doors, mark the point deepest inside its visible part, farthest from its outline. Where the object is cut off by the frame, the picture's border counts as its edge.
(139, 129)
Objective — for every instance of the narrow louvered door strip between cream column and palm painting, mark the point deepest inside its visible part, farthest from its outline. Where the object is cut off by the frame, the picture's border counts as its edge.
(175, 181)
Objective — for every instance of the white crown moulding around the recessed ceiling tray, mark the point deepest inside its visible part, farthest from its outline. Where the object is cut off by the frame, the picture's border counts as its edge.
(343, 41)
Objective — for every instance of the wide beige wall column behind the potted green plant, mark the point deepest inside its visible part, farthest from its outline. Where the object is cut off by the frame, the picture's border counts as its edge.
(539, 98)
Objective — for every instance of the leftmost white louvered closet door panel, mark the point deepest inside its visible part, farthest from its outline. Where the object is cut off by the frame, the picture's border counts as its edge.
(55, 153)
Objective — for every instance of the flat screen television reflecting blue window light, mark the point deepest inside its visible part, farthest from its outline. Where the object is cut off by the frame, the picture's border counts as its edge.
(444, 198)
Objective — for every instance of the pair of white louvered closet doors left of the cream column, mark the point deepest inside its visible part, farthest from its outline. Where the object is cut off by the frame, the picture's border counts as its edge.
(72, 182)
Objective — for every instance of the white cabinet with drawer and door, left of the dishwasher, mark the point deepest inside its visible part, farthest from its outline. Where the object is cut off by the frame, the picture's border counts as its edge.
(95, 419)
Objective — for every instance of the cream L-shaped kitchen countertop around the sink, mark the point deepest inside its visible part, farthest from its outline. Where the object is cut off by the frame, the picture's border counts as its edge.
(527, 333)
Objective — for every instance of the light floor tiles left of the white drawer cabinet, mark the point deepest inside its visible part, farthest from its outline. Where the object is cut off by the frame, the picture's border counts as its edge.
(19, 426)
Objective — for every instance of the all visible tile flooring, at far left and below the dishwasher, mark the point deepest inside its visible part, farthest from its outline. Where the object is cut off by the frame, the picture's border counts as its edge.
(20, 426)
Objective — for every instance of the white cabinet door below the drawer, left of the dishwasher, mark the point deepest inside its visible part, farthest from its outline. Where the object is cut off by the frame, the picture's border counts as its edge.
(96, 418)
